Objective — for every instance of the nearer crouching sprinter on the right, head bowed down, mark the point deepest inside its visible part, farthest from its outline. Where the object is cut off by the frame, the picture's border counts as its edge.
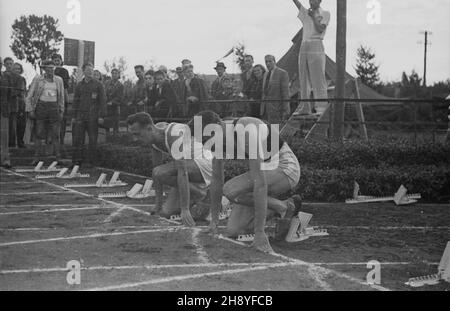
(273, 170)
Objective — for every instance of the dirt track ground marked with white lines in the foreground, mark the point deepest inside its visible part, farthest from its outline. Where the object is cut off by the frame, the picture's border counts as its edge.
(120, 246)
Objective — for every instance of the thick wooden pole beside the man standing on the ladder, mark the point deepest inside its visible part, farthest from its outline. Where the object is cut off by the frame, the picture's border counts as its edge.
(337, 124)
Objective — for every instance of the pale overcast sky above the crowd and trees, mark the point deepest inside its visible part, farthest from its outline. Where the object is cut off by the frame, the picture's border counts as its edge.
(166, 31)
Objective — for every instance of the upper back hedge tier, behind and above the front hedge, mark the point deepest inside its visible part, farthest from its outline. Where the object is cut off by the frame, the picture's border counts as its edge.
(351, 154)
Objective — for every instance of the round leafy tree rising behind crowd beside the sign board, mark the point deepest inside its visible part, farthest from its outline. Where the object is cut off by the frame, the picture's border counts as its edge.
(35, 38)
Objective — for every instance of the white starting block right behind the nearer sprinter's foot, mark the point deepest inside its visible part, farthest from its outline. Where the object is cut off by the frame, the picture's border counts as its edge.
(299, 230)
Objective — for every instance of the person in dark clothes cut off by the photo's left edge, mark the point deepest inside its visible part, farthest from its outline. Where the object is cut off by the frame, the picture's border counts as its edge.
(5, 92)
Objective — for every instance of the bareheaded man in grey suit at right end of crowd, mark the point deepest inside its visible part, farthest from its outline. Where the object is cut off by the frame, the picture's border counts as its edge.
(275, 89)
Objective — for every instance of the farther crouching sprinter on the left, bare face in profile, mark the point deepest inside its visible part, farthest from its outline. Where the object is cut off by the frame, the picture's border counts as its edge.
(188, 175)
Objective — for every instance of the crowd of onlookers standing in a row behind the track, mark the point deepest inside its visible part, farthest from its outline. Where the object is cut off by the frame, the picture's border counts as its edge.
(40, 115)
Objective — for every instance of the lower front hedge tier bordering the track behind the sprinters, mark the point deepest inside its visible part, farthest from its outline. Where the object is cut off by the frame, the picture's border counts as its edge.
(316, 184)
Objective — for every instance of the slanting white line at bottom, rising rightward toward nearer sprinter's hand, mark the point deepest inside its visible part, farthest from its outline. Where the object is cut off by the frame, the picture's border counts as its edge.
(186, 277)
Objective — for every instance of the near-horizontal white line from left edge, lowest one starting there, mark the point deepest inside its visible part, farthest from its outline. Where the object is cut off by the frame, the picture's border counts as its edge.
(136, 267)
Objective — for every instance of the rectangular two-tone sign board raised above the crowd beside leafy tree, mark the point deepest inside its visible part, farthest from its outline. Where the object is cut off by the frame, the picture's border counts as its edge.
(72, 49)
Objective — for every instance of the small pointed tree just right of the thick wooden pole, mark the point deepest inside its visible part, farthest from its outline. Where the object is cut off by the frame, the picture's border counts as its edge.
(366, 69)
